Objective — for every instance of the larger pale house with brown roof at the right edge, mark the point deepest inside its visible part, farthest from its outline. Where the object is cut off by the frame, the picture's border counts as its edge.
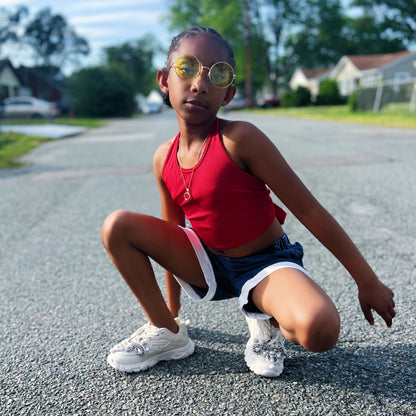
(353, 71)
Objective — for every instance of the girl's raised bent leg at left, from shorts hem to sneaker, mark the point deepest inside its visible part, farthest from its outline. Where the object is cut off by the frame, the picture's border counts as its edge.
(130, 239)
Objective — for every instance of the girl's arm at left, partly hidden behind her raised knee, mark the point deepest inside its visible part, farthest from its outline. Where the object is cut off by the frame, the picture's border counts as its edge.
(171, 213)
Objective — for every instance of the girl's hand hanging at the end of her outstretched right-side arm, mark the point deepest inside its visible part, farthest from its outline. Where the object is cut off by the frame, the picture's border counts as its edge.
(379, 297)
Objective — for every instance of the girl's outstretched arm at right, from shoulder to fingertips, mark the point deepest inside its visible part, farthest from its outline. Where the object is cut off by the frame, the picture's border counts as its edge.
(263, 160)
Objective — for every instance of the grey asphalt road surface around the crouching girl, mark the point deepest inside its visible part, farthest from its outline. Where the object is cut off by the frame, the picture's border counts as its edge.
(63, 305)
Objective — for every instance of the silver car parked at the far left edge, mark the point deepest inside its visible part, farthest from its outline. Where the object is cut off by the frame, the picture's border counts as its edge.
(28, 107)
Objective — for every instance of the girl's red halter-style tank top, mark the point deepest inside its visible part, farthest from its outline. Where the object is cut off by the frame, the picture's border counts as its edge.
(229, 206)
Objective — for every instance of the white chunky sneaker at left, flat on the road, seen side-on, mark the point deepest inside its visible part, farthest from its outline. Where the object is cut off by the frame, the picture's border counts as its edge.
(149, 345)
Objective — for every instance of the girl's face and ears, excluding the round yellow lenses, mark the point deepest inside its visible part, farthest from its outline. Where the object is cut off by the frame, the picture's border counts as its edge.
(196, 98)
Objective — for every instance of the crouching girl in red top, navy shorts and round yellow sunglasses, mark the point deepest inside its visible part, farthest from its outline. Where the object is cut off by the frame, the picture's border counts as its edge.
(218, 174)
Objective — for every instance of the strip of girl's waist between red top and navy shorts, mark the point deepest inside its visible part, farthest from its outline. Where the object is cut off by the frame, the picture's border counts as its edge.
(273, 233)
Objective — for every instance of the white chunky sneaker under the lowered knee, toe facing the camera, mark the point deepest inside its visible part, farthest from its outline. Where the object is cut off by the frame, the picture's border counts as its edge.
(265, 351)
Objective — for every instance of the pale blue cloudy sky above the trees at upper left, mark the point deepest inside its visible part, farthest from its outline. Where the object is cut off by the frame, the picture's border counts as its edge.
(102, 22)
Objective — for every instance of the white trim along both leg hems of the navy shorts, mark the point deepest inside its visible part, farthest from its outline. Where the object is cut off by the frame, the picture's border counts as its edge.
(208, 271)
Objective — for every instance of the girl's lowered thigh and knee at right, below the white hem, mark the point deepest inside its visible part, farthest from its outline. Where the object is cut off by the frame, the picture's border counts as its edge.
(304, 312)
